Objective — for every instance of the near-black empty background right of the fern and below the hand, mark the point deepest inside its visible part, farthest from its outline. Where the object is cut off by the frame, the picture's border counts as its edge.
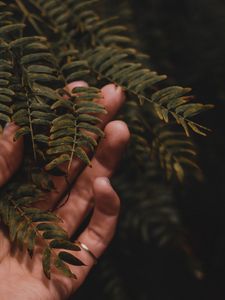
(186, 41)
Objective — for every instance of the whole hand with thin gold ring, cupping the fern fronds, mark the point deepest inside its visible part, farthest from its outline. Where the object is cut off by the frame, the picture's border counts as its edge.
(22, 277)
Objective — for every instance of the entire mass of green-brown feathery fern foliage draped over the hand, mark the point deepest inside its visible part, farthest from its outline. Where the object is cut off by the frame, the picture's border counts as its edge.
(46, 44)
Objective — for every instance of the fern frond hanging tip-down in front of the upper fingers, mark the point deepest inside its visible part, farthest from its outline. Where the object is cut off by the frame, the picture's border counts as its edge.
(69, 136)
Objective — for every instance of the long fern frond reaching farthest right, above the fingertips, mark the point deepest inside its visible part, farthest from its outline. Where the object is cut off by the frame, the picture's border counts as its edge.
(112, 64)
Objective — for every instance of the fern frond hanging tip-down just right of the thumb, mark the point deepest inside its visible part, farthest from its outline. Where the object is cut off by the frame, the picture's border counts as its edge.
(31, 110)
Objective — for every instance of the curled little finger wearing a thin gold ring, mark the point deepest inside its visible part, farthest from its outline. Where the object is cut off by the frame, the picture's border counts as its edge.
(101, 227)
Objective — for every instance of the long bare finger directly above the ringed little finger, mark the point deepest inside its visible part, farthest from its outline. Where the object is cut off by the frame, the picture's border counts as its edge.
(104, 164)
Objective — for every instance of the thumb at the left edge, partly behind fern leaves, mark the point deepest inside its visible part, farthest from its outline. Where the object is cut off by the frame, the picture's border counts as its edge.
(10, 153)
